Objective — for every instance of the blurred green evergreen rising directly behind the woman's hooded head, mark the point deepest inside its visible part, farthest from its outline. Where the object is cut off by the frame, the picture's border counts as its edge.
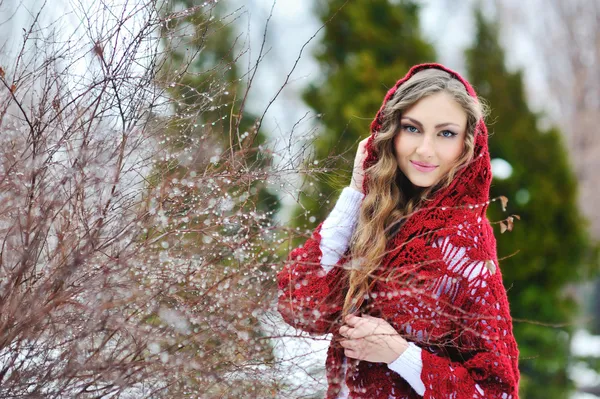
(366, 48)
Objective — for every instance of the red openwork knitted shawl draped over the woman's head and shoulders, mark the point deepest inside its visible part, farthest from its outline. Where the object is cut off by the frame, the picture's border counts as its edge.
(439, 286)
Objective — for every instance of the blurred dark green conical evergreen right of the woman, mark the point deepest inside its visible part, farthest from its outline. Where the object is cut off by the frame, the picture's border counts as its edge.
(550, 242)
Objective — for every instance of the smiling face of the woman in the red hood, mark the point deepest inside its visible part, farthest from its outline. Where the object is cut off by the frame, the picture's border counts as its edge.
(431, 138)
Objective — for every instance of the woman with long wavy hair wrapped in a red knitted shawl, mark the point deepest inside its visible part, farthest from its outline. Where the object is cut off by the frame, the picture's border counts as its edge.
(416, 305)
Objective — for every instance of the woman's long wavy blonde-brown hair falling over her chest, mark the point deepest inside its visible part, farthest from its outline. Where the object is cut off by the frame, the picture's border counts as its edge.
(391, 198)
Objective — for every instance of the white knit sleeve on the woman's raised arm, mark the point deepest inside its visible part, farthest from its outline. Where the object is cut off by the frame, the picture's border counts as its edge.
(339, 226)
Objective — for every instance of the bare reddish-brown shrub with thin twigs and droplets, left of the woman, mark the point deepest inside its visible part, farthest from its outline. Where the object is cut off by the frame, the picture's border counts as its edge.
(133, 263)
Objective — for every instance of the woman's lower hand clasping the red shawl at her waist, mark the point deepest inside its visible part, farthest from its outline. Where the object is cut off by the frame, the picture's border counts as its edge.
(371, 339)
